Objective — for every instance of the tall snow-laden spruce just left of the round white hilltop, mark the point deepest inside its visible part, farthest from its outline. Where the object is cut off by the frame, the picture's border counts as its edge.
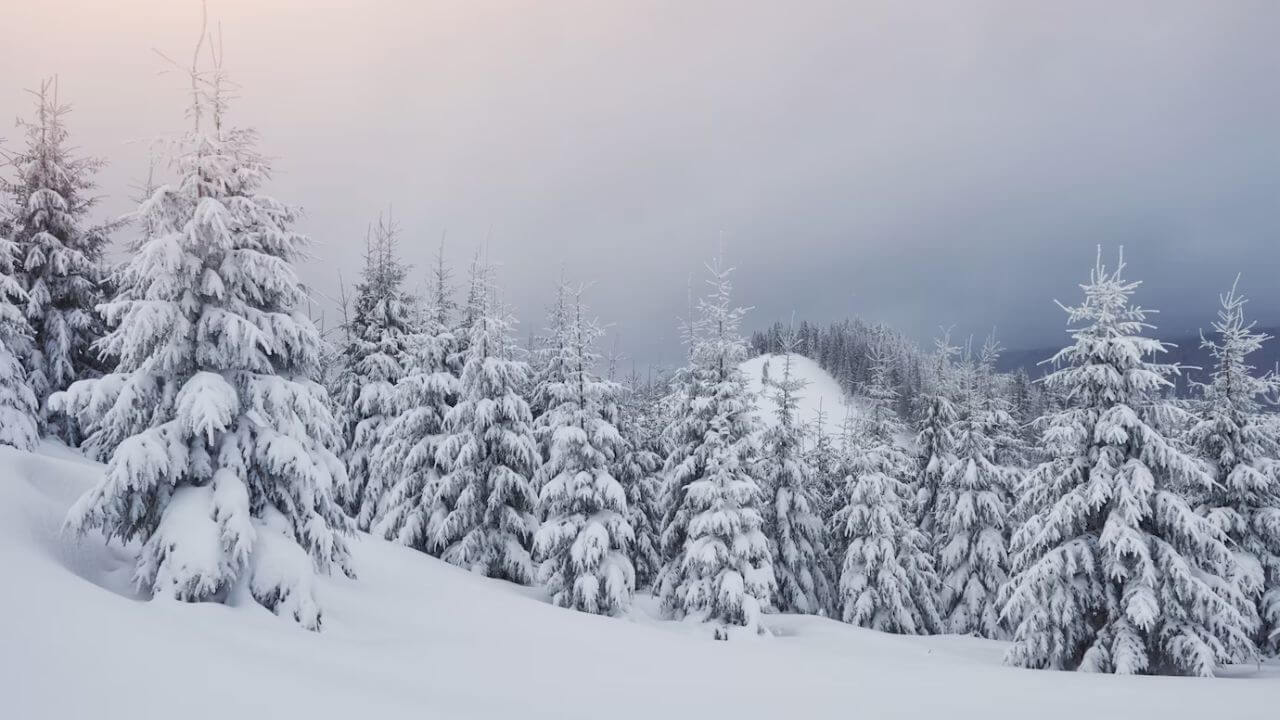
(717, 559)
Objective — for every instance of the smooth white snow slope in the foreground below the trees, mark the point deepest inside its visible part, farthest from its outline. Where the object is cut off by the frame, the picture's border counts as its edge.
(417, 639)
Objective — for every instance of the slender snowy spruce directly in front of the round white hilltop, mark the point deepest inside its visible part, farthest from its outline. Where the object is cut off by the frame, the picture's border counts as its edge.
(798, 539)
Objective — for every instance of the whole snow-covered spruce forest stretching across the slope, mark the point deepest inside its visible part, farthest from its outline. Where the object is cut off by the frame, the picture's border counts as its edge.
(1082, 514)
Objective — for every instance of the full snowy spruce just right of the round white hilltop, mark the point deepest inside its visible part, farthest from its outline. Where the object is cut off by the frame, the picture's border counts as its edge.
(888, 580)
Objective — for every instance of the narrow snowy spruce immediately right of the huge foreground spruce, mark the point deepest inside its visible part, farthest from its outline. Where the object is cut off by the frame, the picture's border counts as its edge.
(381, 331)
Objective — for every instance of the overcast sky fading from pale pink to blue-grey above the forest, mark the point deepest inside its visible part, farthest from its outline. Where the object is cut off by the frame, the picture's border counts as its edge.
(918, 163)
